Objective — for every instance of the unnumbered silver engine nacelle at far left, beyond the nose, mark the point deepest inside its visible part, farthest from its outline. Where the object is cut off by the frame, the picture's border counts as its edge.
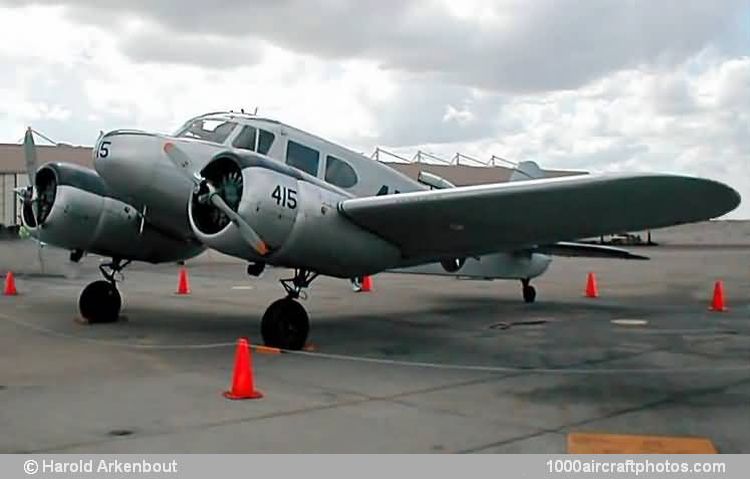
(72, 210)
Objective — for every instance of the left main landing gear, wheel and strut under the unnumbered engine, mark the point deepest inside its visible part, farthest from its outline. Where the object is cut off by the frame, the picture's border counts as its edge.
(100, 301)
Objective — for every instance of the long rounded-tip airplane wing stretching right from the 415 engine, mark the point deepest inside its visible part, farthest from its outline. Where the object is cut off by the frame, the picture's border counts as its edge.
(481, 219)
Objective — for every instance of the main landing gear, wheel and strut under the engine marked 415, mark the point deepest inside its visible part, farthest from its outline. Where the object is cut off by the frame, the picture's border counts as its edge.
(285, 323)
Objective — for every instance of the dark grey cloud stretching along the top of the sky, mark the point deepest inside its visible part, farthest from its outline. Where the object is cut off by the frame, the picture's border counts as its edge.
(505, 46)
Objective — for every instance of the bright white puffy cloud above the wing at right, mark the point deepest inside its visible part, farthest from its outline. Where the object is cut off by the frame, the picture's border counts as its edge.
(694, 119)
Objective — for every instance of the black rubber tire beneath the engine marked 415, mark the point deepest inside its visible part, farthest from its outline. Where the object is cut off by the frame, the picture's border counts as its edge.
(285, 325)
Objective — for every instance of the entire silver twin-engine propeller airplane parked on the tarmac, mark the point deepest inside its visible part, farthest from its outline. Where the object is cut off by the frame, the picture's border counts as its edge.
(271, 194)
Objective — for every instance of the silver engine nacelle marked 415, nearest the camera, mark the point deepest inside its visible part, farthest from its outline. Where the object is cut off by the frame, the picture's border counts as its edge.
(295, 215)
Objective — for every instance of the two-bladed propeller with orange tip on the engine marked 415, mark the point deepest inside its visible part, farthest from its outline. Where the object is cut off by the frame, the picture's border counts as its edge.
(183, 163)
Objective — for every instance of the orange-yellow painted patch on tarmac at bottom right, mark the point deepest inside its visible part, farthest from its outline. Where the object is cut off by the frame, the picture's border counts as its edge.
(593, 443)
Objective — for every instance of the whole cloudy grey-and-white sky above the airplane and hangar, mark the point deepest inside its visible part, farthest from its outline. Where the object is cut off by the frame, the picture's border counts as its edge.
(602, 85)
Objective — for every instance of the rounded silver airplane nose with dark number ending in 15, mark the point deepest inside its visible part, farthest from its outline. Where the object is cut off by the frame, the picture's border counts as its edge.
(125, 159)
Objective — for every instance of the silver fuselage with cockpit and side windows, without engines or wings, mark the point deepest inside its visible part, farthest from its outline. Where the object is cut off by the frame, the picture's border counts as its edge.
(138, 172)
